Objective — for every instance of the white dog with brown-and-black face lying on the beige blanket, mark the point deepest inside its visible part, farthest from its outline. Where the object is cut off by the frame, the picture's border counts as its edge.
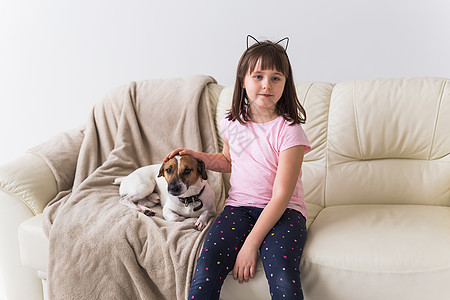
(179, 184)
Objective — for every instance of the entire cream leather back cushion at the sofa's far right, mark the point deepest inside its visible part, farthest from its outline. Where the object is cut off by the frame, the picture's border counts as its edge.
(389, 142)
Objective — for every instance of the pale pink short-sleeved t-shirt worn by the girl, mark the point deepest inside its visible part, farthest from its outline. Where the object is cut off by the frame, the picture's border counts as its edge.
(254, 151)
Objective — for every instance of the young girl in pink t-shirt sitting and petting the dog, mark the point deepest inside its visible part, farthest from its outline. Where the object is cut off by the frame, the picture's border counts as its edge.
(263, 149)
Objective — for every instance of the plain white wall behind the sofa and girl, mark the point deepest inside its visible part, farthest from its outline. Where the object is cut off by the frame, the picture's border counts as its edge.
(57, 57)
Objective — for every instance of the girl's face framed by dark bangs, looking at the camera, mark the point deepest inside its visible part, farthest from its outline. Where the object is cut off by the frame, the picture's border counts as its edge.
(264, 88)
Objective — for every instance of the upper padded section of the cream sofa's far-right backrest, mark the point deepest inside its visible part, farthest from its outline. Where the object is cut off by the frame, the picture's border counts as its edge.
(365, 114)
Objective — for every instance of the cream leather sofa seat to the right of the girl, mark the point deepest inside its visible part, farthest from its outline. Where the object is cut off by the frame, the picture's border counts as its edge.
(367, 250)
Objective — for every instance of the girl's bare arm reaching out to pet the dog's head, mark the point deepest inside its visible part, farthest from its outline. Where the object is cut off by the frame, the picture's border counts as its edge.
(219, 162)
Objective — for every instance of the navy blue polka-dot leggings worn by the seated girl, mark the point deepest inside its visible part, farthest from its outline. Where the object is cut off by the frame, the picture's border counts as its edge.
(280, 252)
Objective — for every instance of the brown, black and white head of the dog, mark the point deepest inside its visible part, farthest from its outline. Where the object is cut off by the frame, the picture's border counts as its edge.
(182, 172)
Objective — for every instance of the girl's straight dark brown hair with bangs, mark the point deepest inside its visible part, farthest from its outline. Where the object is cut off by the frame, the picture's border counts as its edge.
(272, 56)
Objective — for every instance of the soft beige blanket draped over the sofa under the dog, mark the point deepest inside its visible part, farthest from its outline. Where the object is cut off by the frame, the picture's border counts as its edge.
(100, 249)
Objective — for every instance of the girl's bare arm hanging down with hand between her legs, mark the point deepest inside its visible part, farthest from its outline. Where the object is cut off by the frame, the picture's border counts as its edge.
(289, 165)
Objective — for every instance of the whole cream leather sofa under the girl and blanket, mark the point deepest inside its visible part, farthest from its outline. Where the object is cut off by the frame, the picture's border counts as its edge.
(377, 185)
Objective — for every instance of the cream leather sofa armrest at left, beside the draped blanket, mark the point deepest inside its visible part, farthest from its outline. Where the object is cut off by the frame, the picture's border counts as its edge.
(26, 186)
